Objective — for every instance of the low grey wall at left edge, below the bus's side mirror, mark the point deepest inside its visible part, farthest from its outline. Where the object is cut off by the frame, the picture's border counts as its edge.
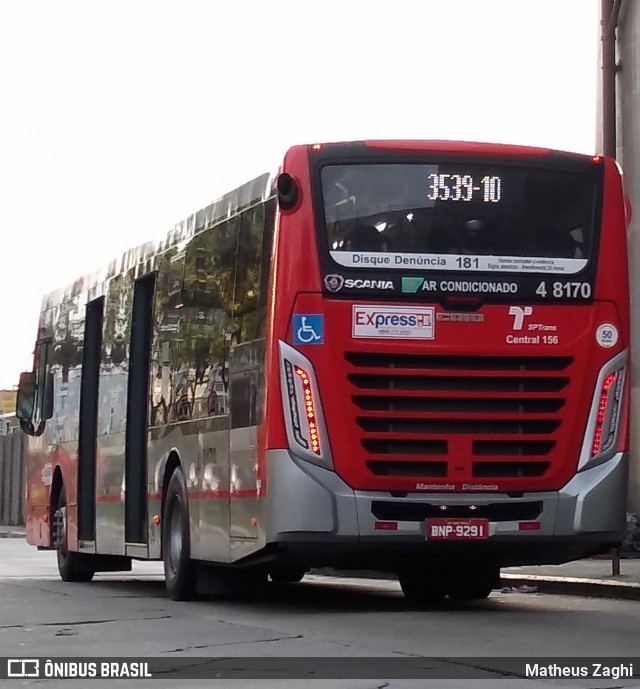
(12, 478)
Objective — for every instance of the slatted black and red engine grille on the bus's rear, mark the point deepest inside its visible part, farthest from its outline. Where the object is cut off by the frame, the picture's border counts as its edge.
(485, 417)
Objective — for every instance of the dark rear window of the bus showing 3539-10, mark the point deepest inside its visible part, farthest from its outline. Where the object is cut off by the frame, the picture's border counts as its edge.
(451, 216)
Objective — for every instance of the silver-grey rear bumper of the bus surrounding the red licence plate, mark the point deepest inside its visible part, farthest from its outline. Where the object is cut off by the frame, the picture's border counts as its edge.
(314, 515)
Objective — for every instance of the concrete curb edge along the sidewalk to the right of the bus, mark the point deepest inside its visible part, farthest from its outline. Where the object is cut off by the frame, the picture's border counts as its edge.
(576, 586)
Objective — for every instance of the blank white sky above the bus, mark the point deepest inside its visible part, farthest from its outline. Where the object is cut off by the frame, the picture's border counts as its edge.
(118, 119)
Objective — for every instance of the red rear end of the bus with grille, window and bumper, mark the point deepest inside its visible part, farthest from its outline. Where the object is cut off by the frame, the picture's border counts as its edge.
(449, 344)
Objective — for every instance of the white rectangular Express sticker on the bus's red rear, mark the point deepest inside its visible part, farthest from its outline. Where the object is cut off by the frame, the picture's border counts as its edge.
(402, 322)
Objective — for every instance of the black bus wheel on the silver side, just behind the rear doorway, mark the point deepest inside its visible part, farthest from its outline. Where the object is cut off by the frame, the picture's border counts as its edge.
(179, 568)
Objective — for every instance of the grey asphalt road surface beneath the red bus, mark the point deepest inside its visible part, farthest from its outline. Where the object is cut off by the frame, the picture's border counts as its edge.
(129, 615)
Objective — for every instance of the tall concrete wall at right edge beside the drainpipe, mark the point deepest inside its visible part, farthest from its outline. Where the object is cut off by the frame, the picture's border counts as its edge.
(628, 144)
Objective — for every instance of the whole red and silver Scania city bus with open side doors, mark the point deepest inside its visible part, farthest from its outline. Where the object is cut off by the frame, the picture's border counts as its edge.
(407, 356)
